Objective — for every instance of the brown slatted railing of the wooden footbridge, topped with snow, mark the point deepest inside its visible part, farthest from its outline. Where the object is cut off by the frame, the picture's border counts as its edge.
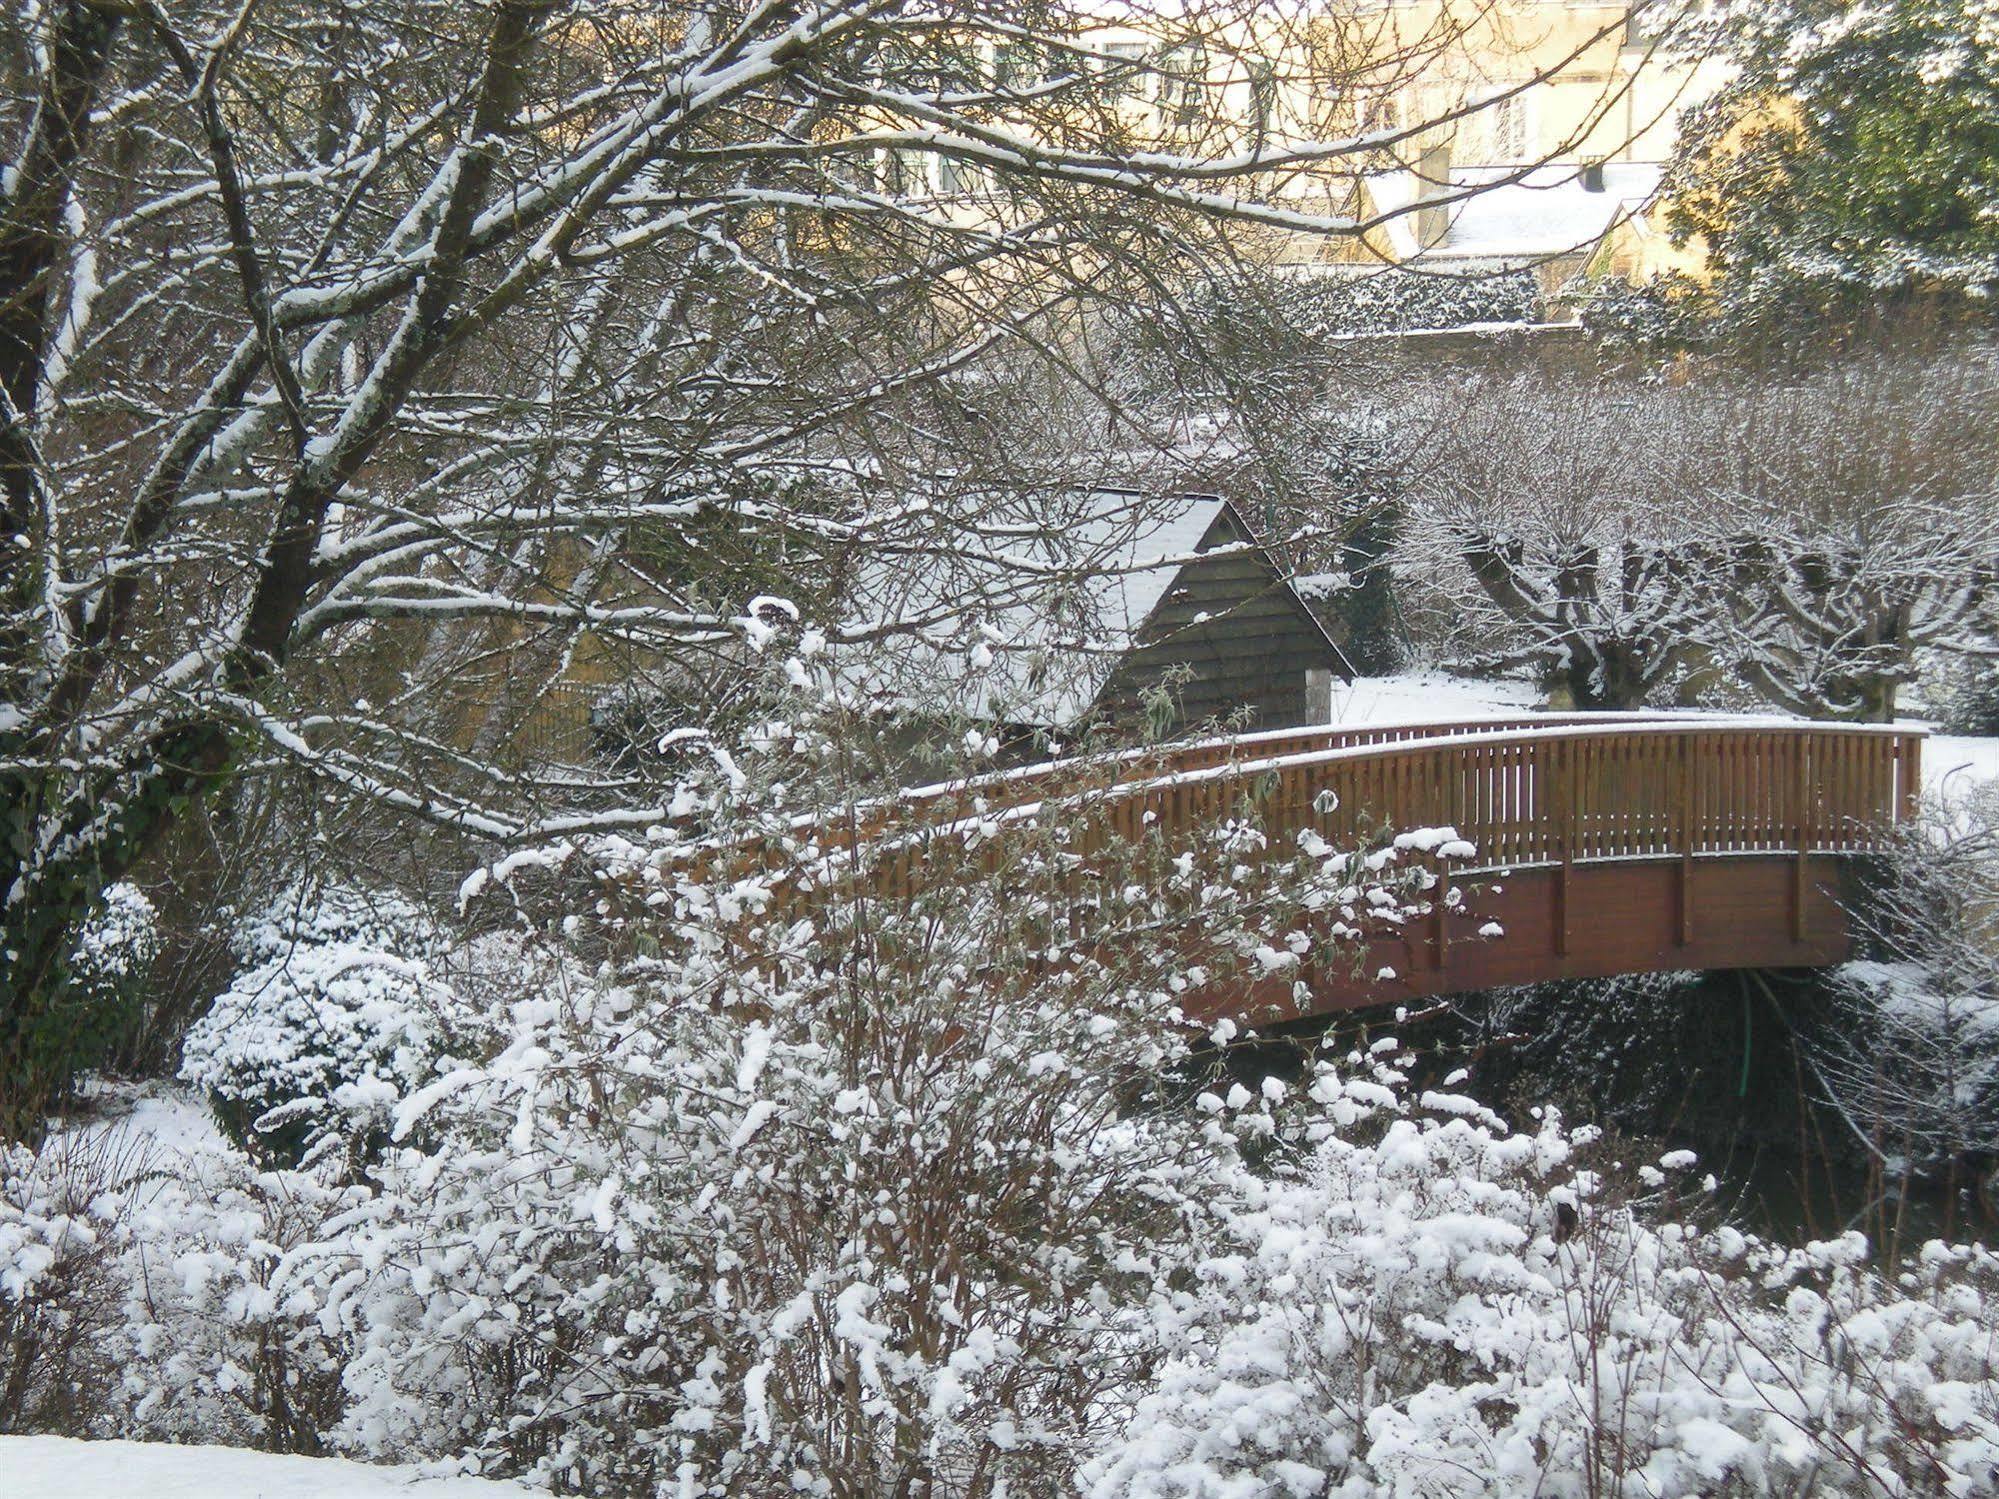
(1526, 792)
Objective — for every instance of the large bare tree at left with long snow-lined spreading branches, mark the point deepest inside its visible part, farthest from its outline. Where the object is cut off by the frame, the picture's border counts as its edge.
(367, 365)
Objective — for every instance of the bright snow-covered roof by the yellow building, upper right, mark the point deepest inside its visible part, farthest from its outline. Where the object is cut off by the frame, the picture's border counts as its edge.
(1548, 213)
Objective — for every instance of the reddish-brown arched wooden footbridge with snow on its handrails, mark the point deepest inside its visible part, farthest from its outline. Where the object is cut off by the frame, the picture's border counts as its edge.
(1604, 842)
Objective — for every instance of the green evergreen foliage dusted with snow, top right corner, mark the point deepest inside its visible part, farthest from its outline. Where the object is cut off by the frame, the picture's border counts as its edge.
(1850, 163)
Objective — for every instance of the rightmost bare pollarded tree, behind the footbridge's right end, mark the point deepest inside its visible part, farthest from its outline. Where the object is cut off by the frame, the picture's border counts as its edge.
(1856, 521)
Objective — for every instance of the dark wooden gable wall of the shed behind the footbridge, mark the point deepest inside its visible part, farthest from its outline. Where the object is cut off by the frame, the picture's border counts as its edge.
(1252, 651)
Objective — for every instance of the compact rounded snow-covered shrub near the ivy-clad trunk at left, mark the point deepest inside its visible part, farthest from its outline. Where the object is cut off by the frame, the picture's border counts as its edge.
(335, 1020)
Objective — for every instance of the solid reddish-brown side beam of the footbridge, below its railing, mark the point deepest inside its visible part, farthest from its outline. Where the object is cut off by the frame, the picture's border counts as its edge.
(1578, 922)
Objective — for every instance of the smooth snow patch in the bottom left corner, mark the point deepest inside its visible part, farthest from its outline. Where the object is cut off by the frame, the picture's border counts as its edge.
(61, 1468)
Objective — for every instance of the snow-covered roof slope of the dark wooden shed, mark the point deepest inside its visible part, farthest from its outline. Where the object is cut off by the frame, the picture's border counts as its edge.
(1028, 617)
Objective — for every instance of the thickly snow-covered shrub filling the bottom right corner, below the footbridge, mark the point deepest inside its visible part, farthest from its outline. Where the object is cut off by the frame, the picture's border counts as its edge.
(1432, 1304)
